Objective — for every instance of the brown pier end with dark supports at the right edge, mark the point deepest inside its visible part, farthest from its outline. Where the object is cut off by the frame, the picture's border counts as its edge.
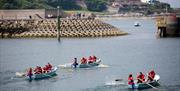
(168, 25)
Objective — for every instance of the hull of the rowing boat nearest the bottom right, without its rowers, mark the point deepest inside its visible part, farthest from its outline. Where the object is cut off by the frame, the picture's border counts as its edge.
(151, 84)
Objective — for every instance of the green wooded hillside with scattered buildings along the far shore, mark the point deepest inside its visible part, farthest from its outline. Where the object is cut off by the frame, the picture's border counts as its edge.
(90, 5)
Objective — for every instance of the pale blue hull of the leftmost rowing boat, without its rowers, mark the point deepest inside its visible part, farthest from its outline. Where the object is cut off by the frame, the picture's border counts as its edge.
(50, 74)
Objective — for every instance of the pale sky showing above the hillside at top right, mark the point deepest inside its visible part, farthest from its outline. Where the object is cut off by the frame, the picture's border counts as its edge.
(173, 3)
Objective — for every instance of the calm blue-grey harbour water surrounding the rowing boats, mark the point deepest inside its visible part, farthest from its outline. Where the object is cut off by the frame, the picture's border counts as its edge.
(138, 51)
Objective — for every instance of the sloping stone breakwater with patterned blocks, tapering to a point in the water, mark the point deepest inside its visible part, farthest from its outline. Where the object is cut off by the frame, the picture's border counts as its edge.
(48, 28)
